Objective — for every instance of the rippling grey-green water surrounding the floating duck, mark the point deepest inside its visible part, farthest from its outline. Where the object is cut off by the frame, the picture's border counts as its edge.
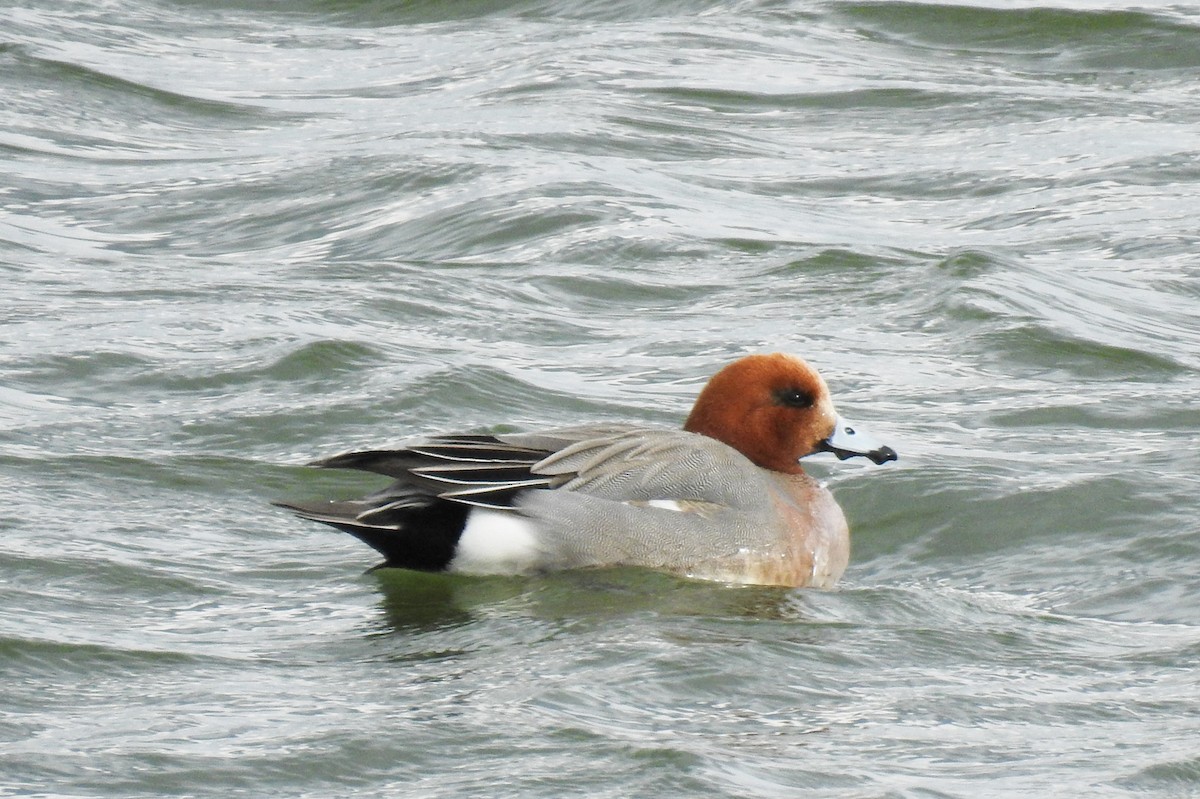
(236, 237)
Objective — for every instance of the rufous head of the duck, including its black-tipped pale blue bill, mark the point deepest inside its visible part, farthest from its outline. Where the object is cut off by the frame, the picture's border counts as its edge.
(776, 410)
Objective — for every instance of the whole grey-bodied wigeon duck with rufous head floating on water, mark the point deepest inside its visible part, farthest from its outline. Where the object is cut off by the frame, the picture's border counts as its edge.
(724, 498)
